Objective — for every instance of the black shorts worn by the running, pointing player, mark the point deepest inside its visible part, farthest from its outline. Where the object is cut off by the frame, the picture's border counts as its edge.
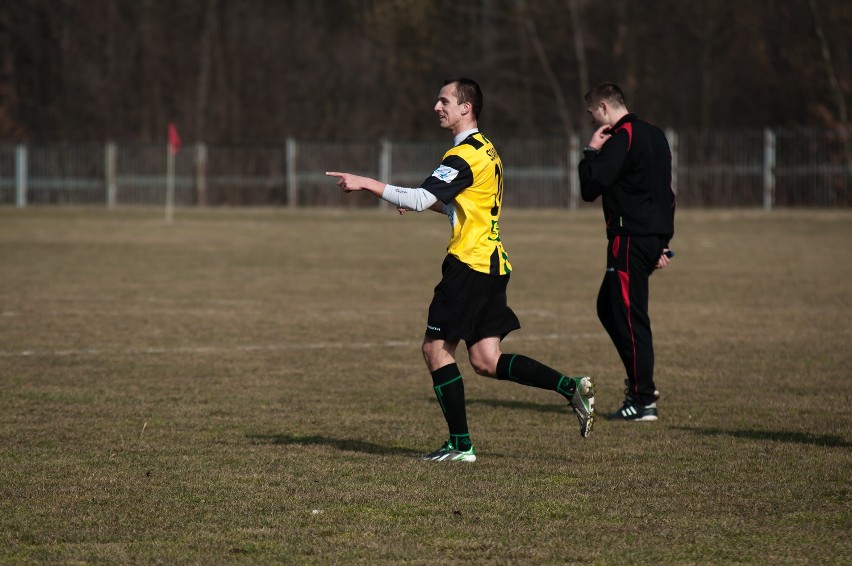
(469, 305)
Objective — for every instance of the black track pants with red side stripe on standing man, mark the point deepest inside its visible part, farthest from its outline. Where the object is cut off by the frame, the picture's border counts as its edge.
(623, 308)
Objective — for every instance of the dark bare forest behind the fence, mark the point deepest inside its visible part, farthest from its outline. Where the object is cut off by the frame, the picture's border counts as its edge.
(258, 71)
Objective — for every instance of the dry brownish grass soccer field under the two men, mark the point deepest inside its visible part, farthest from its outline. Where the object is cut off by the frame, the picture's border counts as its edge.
(247, 386)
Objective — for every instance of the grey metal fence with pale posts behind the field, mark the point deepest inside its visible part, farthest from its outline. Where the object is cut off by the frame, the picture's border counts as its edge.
(763, 168)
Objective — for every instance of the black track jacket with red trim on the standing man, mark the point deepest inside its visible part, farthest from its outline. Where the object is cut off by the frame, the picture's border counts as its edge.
(633, 172)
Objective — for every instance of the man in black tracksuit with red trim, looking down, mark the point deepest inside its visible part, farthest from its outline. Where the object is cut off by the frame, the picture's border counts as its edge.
(628, 163)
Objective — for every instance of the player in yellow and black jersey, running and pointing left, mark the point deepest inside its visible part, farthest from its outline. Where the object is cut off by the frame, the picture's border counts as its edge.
(470, 303)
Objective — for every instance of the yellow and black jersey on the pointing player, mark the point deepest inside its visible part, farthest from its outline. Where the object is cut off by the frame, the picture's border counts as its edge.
(470, 183)
